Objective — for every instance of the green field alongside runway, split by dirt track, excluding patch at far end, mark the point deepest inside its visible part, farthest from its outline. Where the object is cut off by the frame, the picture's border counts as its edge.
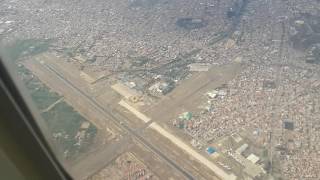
(62, 120)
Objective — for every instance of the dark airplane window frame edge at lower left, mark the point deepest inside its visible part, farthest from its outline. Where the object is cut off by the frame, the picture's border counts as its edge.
(27, 145)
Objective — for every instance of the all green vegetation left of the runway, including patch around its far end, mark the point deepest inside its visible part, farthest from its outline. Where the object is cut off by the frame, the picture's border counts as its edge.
(62, 120)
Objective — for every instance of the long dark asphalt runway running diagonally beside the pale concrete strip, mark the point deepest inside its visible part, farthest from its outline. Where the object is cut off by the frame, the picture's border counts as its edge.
(119, 120)
